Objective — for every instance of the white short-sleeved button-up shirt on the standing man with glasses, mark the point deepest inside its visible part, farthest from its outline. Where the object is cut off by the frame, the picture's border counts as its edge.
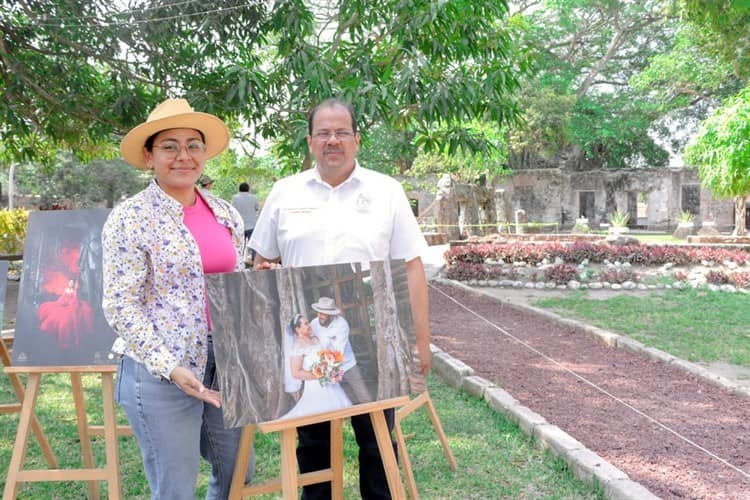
(307, 222)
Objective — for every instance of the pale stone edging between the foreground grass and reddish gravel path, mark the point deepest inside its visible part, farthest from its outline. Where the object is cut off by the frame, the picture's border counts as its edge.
(585, 464)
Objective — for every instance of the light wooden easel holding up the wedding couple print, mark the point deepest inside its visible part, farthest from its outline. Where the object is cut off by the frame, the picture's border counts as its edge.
(290, 480)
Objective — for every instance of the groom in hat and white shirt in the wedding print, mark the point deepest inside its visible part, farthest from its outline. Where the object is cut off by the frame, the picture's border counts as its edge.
(332, 331)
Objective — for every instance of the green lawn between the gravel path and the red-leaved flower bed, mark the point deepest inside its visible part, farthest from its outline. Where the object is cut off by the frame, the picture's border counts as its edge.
(696, 325)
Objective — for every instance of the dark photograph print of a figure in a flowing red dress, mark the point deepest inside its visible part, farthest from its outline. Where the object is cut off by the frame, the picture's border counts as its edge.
(59, 320)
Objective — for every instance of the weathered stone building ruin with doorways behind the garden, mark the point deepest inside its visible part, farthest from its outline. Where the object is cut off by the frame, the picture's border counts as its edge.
(654, 198)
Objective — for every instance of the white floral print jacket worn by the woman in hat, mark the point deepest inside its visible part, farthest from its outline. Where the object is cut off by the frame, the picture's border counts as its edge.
(154, 288)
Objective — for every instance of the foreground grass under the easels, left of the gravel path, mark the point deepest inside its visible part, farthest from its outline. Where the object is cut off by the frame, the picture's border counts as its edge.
(495, 458)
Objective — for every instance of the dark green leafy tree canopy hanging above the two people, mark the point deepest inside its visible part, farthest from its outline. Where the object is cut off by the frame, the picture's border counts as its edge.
(77, 73)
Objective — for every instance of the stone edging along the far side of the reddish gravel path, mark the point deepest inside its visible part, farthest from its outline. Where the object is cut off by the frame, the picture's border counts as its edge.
(622, 342)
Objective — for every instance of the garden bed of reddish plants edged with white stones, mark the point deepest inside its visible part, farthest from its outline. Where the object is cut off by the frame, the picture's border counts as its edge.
(597, 265)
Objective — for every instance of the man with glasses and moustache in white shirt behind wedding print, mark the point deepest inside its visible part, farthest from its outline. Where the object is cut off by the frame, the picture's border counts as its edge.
(339, 212)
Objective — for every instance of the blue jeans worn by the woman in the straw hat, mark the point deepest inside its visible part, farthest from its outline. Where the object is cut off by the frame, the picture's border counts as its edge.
(174, 430)
